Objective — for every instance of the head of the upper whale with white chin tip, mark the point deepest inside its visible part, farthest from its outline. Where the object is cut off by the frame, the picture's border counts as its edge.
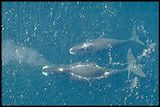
(82, 48)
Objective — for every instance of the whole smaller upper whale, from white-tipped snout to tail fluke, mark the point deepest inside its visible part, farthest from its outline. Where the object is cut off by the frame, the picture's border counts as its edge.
(98, 44)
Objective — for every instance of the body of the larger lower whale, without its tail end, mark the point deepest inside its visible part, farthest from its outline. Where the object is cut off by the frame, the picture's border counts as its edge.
(80, 70)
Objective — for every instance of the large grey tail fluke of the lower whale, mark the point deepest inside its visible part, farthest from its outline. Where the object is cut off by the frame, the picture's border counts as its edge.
(132, 66)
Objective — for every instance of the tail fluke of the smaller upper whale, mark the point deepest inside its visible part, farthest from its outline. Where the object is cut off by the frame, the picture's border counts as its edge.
(135, 37)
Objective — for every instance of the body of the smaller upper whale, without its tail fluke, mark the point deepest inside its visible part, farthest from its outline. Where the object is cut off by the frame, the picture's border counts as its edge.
(95, 45)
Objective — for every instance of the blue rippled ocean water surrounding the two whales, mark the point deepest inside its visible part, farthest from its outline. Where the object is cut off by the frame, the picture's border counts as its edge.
(35, 34)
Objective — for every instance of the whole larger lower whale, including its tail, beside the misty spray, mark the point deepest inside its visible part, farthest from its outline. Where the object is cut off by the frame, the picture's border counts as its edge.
(88, 71)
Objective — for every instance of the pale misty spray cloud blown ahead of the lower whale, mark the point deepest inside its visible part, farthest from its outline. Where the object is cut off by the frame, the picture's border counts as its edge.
(21, 54)
